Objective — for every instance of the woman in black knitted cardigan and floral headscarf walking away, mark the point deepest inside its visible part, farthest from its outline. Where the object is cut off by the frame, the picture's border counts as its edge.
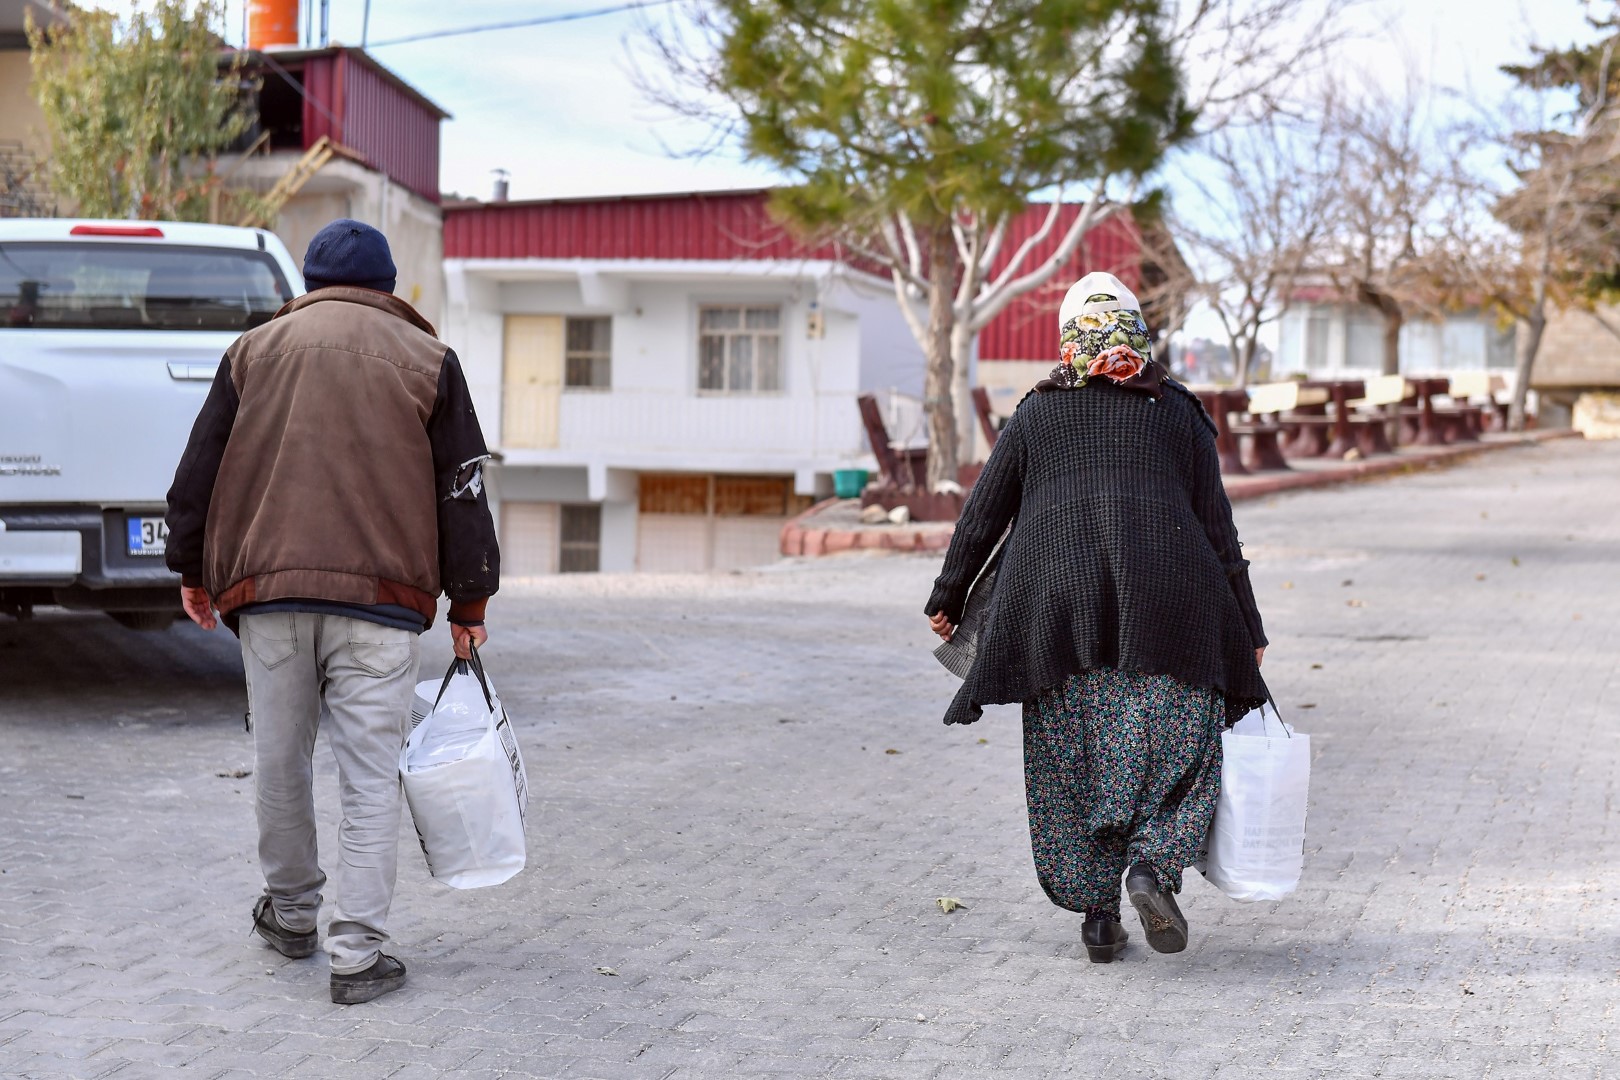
(1120, 616)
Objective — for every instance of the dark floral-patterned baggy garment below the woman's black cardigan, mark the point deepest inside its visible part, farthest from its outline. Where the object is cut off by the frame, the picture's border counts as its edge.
(1120, 768)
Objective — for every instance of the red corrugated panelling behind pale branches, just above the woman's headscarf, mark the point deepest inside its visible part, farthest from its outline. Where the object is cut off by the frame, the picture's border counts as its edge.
(1028, 330)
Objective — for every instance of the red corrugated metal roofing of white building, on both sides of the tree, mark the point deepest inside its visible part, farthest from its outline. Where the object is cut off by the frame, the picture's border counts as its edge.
(738, 226)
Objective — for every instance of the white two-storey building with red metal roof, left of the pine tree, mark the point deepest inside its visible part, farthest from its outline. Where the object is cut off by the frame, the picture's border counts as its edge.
(667, 380)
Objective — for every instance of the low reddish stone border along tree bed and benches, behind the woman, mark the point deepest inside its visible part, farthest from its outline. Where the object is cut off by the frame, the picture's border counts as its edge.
(801, 540)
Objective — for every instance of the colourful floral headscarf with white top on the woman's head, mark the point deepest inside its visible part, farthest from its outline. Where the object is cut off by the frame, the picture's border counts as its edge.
(1104, 336)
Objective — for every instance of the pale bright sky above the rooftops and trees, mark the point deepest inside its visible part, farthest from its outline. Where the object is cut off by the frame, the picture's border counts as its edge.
(558, 106)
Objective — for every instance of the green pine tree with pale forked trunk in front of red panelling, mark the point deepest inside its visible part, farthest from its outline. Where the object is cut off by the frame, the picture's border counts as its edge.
(916, 130)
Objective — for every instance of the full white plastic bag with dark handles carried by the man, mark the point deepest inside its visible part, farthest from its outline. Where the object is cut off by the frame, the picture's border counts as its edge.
(464, 780)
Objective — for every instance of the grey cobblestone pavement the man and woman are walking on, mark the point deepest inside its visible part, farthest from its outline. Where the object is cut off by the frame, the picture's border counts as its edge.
(746, 807)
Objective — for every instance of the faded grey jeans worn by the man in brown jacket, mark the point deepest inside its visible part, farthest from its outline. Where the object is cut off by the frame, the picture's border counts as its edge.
(357, 678)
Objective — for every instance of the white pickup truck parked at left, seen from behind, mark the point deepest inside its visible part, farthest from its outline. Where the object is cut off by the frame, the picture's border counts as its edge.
(109, 338)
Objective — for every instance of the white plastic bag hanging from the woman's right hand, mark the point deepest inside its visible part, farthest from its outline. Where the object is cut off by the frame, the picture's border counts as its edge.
(1256, 843)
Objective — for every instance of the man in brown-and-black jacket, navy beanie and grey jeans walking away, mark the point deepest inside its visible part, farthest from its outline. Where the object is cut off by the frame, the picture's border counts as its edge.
(331, 490)
